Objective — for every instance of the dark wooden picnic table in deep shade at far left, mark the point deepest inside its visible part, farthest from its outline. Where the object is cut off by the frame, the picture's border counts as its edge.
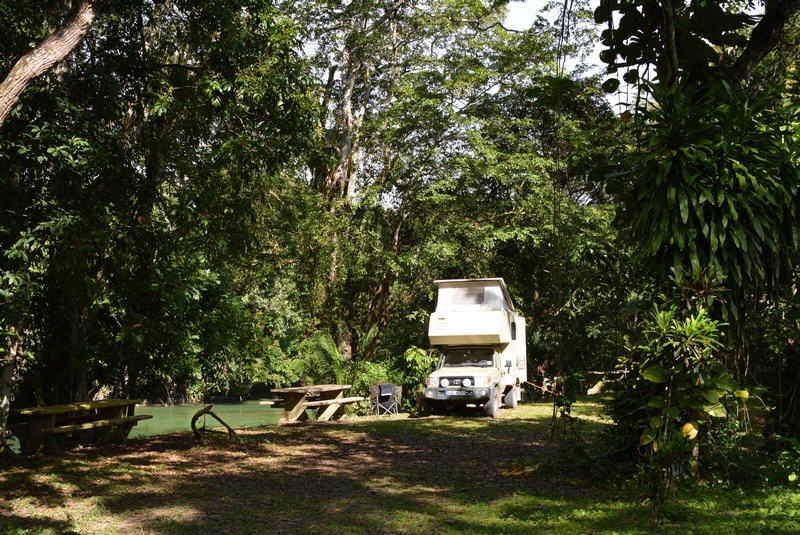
(38, 426)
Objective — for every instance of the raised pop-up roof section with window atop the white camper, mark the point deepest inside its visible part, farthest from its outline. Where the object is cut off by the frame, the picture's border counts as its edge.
(473, 294)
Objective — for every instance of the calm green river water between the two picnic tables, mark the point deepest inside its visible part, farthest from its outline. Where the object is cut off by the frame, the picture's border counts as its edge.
(177, 418)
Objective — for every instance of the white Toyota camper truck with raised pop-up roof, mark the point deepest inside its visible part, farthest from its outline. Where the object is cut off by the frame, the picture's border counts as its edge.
(481, 340)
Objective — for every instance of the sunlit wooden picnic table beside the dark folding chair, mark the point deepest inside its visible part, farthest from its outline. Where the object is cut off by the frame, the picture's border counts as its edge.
(327, 399)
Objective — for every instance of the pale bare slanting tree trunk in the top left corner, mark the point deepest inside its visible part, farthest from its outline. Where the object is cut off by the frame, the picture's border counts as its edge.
(49, 52)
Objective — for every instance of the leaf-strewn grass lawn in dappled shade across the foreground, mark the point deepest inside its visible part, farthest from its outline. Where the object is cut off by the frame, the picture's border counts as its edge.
(398, 475)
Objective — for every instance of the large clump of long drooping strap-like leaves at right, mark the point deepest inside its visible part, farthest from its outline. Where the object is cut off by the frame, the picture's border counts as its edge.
(716, 185)
